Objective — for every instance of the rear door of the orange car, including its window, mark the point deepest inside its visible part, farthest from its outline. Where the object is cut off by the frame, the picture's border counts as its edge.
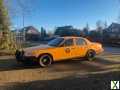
(82, 47)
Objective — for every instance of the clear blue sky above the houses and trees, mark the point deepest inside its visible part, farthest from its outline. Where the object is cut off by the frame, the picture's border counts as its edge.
(52, 13)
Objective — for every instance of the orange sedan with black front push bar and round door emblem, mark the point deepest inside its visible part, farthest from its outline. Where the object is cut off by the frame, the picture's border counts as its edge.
(60, 48)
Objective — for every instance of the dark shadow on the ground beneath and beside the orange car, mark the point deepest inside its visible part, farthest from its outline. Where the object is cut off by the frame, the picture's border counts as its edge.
(66, 65)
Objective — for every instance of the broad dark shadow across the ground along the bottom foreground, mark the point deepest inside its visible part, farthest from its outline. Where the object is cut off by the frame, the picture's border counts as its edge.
(92, 82)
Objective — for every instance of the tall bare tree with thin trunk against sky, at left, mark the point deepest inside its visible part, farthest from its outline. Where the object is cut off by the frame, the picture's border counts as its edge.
(22, 9)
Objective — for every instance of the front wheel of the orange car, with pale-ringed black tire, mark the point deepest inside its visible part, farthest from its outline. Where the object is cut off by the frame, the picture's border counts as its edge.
(45, 60)
